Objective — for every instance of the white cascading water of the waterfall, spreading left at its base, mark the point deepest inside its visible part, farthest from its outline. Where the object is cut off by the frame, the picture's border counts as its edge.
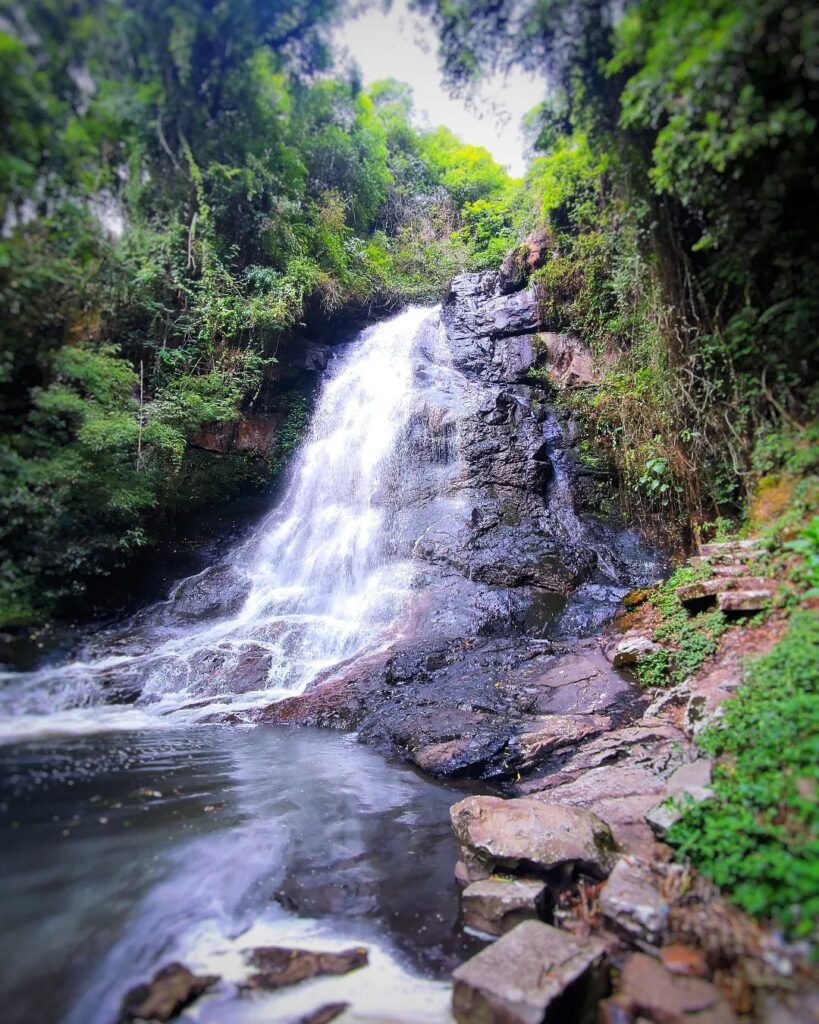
(325, 578)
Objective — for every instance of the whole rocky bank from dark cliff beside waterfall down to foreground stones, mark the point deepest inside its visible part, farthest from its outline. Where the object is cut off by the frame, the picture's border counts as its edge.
(522, 675)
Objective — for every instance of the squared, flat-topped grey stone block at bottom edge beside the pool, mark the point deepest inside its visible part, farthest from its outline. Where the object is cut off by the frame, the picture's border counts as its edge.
(533, 975)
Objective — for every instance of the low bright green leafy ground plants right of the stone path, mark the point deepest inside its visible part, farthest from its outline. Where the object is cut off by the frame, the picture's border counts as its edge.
(759, 836)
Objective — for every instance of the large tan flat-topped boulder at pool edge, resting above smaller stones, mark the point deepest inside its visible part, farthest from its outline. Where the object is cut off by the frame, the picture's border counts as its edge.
(531, 836)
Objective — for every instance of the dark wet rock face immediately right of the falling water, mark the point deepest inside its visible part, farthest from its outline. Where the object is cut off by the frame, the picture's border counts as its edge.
(511, 556)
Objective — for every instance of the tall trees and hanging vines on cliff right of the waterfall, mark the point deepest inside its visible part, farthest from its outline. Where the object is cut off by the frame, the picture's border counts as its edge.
(674, 166)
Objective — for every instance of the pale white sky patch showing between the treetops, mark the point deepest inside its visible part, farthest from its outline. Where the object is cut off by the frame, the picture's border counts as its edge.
(402, 45)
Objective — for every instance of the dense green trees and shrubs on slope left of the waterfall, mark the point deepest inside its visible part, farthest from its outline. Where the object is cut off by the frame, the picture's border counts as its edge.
(182, 185)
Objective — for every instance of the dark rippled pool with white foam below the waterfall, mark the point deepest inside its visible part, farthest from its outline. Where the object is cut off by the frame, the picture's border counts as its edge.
(125, 851)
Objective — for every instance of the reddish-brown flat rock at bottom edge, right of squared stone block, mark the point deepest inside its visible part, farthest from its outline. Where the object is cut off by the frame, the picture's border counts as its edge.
(650, 993)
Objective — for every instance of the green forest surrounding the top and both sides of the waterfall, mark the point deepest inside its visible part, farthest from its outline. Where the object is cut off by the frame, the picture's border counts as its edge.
(185, 184)
